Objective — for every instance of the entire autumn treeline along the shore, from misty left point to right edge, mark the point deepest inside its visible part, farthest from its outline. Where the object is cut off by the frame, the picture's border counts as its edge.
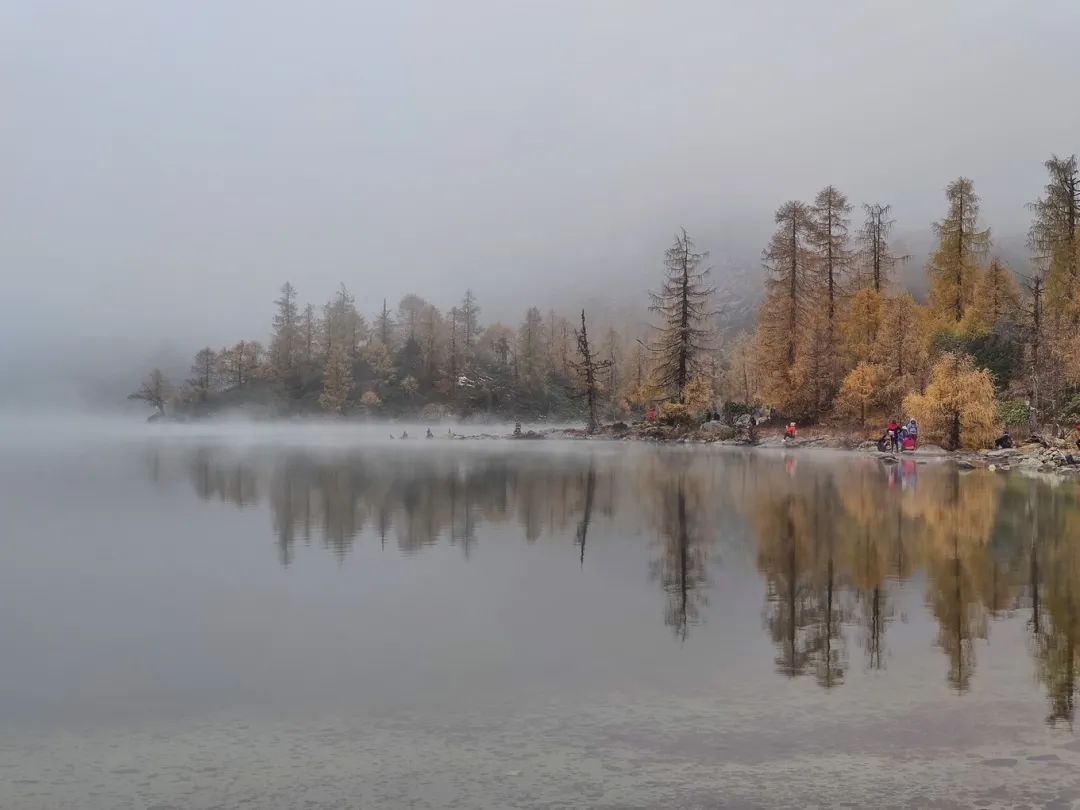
(836, 339)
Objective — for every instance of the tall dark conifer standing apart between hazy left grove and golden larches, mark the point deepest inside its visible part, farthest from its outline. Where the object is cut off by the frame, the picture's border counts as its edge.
(682, 305)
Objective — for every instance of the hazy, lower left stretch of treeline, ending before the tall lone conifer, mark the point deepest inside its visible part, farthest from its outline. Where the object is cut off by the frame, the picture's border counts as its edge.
(410, 359)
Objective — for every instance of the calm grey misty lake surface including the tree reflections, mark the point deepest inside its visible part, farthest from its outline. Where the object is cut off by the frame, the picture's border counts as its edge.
(229, 617)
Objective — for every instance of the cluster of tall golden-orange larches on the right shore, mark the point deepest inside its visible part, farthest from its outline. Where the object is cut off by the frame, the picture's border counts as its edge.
(990, 349)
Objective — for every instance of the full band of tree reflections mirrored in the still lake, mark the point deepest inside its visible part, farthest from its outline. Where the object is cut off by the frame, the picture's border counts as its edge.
(834, 542)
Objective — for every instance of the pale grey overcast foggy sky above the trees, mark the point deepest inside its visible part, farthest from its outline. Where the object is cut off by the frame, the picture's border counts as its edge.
(167, 165)
